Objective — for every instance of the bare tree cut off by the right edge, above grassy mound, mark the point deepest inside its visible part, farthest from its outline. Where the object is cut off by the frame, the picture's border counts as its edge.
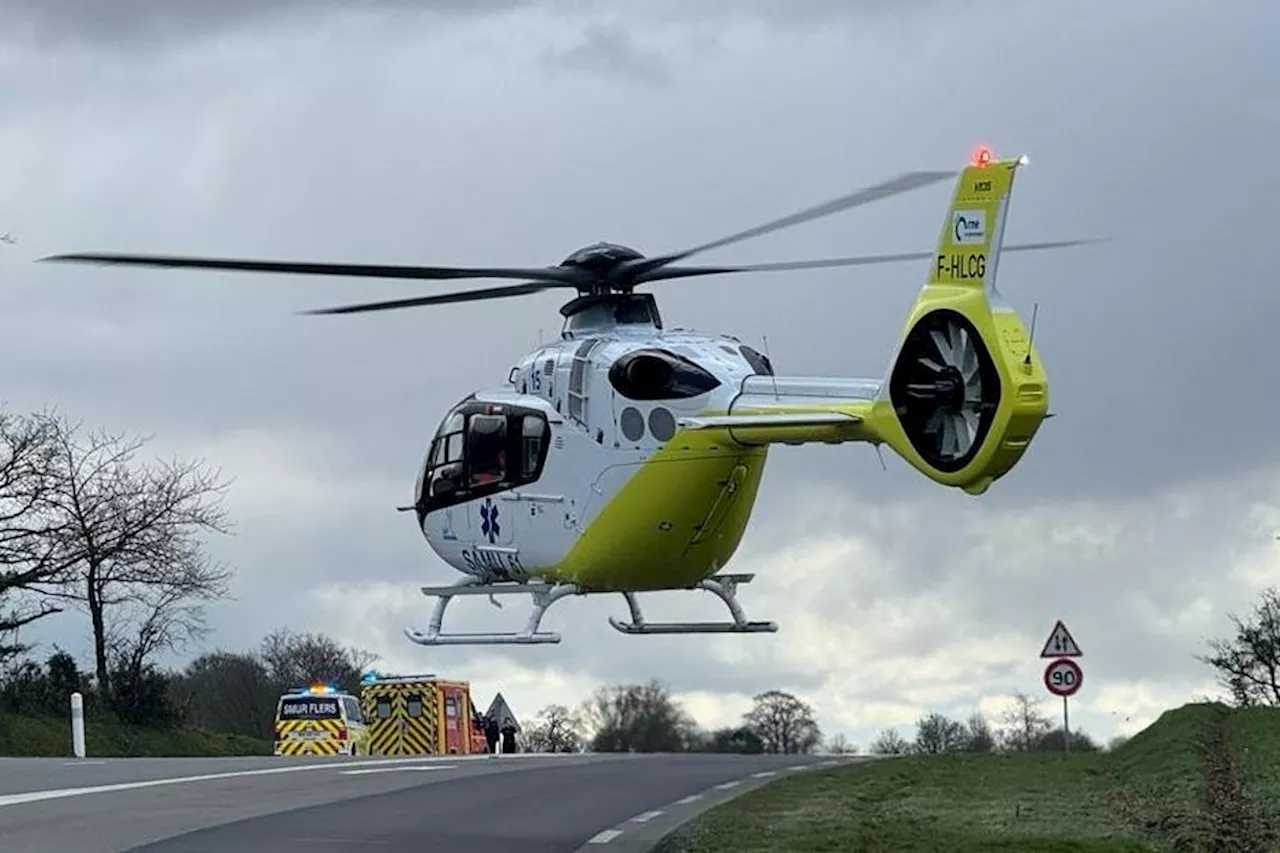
(1249, 665)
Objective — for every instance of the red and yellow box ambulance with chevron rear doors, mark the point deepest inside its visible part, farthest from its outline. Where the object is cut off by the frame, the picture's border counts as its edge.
(420, 715)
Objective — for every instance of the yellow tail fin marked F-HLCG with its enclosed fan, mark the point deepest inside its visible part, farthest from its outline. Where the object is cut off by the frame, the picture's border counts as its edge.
(966, 391)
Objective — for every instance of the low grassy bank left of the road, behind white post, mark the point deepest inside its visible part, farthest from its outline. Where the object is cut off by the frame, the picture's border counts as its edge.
(24, 736)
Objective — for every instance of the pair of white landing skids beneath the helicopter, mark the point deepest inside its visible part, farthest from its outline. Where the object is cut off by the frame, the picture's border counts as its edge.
(545, 595)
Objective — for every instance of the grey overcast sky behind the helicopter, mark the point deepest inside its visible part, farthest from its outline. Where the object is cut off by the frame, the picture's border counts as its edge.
(513, 134)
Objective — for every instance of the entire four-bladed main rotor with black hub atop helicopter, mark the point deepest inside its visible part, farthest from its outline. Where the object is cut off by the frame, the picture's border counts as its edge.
(593, 271)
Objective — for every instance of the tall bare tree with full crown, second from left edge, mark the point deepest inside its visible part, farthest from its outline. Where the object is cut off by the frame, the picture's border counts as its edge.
(131, 532)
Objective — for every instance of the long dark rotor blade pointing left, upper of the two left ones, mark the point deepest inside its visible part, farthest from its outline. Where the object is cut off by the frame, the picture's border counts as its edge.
(554, 275)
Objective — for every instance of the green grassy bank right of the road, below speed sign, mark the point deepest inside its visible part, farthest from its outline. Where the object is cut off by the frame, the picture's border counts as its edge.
(1201, 778)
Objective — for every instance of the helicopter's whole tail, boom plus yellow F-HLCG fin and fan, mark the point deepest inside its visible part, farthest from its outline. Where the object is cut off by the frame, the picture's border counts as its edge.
(966, 391)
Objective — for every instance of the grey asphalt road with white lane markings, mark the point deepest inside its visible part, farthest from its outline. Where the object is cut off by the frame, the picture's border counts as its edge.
(463, 805)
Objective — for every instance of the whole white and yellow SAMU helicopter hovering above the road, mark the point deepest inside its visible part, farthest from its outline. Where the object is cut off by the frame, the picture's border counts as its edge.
(627, 458)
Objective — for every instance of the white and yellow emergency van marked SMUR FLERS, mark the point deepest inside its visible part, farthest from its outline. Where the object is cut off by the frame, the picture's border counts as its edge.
(321, 720)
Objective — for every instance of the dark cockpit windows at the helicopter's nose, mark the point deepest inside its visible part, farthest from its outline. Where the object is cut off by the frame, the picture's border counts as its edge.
(482, 449)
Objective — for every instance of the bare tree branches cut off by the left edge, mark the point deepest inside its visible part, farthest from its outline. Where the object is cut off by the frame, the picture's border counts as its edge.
(31, 559)
